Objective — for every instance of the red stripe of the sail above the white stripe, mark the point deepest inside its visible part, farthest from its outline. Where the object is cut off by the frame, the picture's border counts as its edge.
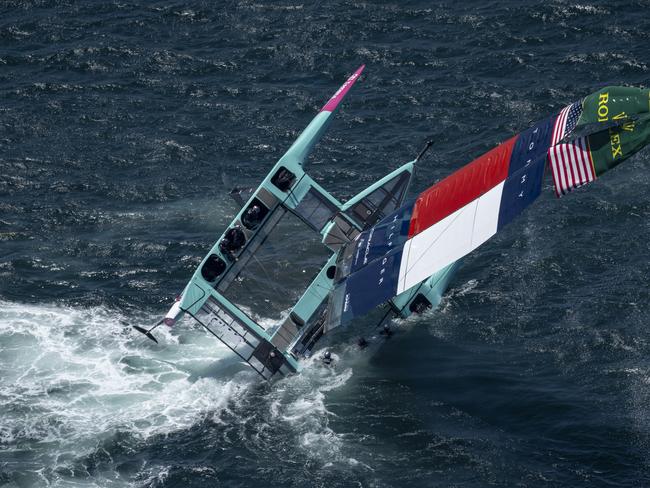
(462, 187)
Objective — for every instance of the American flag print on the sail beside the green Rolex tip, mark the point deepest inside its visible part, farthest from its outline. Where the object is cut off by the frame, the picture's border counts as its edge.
(571, 162)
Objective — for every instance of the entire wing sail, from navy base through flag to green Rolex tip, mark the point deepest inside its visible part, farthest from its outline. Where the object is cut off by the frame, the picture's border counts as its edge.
(458, 214)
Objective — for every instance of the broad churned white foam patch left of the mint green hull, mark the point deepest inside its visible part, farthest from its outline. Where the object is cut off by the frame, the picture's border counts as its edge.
(71, 377)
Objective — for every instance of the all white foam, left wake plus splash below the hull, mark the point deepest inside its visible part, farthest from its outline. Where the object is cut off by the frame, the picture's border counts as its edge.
(71, 378)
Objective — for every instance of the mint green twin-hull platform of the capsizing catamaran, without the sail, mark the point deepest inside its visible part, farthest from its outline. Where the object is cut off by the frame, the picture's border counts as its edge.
(289, 189)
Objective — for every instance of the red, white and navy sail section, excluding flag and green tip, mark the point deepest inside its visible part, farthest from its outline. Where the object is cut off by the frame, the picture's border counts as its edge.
(446, 222)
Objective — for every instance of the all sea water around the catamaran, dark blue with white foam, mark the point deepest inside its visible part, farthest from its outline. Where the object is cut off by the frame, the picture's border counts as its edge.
(122, 127)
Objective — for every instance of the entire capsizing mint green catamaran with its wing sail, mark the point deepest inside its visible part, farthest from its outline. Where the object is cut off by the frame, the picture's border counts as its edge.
(384, 251)
